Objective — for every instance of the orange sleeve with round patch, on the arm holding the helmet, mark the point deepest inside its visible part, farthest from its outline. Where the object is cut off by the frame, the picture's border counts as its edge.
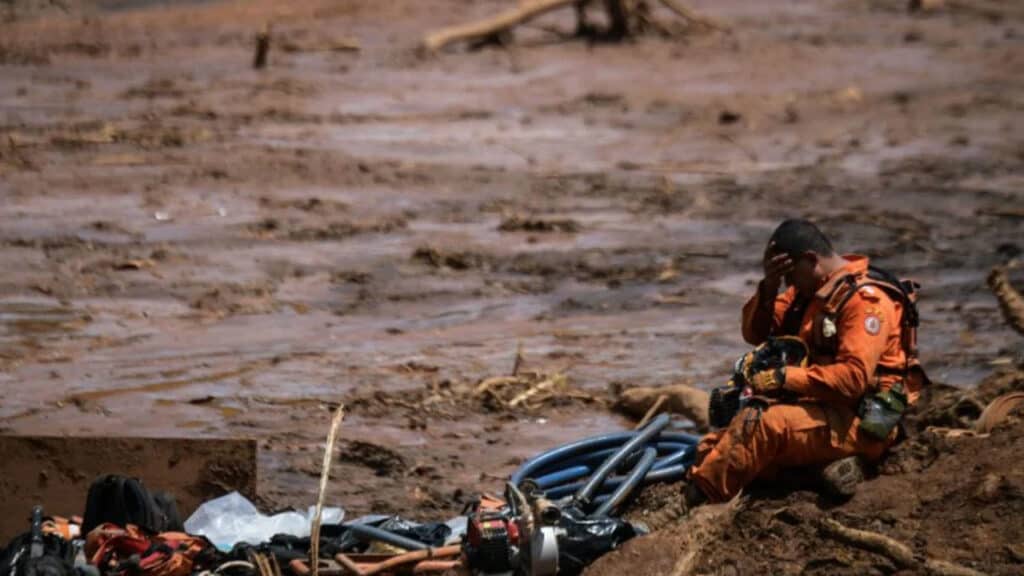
(864, 330)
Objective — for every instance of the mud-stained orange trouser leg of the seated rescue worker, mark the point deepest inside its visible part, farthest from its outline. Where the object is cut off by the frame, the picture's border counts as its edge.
(785, 436)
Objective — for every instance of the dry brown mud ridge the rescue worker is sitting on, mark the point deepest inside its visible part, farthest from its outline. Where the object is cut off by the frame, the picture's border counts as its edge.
(951, 495)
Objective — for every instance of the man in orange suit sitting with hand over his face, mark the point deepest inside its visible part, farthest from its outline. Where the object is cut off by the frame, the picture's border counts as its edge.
(852, 328)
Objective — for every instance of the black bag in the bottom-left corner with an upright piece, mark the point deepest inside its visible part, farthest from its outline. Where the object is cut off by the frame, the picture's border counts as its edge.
(38, 554)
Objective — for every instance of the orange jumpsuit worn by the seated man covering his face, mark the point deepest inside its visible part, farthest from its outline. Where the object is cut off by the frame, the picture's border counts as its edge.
(822, 427)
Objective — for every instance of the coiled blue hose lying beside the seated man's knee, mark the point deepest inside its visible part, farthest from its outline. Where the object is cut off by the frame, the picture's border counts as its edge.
(581, 472)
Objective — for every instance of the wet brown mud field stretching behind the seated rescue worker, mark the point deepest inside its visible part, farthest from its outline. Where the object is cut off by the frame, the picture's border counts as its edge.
(194, 249)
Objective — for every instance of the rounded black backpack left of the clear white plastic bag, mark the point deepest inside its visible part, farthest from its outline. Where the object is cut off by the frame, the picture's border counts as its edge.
(122, 501)
